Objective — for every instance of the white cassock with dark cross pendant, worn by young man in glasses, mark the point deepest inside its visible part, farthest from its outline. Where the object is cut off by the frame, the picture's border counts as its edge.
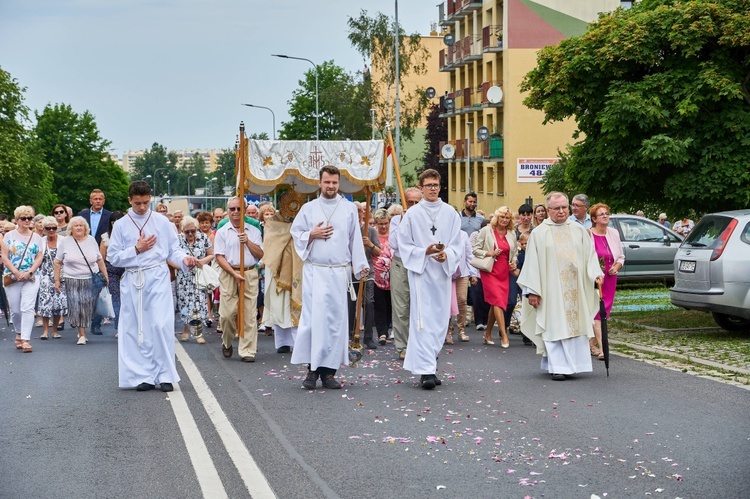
(429, 280)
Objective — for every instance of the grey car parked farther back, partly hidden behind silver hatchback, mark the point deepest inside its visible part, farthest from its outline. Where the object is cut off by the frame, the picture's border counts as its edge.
(649, 248)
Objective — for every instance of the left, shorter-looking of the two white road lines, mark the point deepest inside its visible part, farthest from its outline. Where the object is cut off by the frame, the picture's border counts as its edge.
(205, 471)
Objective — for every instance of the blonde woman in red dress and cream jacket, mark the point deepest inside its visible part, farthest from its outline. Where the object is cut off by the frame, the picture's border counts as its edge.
(498, 241)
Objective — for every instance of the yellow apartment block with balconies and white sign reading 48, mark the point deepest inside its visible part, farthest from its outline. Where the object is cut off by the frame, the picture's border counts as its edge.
(495, 43)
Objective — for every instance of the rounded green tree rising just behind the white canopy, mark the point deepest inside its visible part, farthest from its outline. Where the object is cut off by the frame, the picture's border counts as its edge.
(344, 104)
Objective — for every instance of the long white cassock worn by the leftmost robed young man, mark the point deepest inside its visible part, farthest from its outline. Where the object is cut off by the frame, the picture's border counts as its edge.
(146, 329)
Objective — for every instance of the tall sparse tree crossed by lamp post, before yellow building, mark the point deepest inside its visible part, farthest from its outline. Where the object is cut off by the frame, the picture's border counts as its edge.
(373, 38)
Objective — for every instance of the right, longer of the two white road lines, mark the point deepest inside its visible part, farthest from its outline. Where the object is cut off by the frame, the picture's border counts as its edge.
(255, 483)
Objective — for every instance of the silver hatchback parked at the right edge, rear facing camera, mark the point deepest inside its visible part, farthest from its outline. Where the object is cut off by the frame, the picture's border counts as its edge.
(712, 269)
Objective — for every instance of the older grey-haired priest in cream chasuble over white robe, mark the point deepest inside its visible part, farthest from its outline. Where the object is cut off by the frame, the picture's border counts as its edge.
(558, 280)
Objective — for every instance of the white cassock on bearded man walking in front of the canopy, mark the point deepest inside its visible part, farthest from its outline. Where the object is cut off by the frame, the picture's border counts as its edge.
(323, 332)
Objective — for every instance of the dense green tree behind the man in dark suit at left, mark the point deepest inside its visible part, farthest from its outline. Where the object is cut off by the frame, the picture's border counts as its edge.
(71, 145)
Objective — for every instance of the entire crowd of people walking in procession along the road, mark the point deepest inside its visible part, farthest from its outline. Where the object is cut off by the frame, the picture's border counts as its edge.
(427, 271)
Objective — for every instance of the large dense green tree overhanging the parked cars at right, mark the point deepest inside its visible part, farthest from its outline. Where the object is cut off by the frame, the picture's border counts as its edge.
(660, 96)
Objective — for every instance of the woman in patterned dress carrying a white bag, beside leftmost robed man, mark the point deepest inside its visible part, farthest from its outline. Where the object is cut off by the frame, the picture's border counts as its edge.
(189, 297)
